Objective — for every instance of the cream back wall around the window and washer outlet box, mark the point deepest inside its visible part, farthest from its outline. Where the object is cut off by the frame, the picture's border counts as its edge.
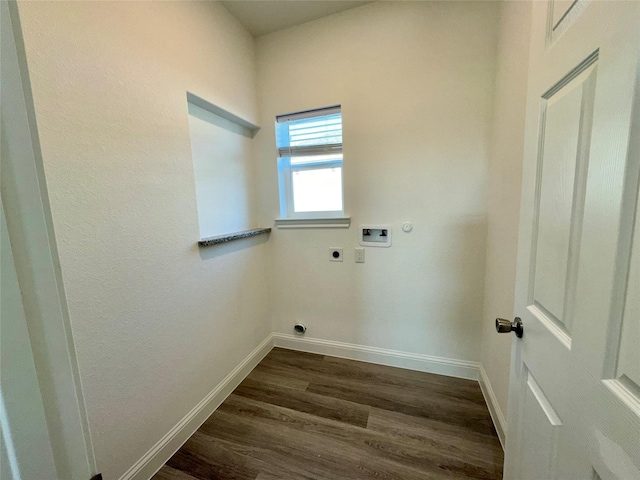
(415, 81)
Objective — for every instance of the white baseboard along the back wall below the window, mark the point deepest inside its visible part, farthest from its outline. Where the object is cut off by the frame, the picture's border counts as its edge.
(393, 358)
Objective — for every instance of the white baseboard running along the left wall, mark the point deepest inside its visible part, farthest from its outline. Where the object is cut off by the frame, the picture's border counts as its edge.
(158, 455)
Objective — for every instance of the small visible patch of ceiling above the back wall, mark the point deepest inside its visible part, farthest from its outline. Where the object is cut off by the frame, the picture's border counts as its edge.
(260, 17)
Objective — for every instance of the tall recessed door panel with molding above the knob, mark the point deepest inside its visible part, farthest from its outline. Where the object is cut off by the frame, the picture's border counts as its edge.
(558, 213)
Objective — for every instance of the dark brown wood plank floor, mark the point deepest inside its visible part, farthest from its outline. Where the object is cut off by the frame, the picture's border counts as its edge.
(305, 416)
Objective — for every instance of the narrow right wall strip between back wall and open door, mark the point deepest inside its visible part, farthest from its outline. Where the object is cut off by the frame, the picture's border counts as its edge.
(505, 171)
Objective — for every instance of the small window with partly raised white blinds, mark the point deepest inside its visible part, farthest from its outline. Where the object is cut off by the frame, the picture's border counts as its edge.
(310, 163)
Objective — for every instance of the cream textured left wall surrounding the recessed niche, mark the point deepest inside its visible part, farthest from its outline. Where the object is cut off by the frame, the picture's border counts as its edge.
(157, 323)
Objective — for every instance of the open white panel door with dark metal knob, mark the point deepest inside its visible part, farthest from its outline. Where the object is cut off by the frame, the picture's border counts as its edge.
(574, 399)
